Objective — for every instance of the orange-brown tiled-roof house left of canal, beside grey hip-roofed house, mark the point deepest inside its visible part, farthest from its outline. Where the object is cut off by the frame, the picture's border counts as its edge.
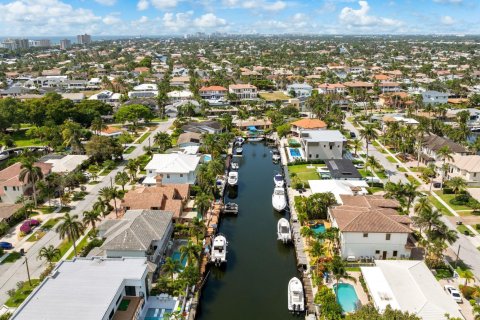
(168, 197)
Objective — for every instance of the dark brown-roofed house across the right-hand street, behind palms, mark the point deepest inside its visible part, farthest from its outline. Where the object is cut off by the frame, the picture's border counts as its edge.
(432, 143)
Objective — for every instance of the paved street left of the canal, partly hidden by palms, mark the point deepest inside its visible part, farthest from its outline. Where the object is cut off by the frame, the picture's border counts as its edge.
(12, 273)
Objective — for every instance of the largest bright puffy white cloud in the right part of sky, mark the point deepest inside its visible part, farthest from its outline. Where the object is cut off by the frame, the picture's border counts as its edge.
(360, 18)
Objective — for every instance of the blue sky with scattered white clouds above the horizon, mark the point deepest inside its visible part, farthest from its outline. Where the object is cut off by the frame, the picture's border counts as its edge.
(178, 17)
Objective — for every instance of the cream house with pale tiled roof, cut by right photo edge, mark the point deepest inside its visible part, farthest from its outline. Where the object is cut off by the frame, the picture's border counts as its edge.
(466, 167)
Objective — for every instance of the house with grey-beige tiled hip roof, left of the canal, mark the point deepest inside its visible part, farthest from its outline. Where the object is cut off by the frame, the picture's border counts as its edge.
(139, 233)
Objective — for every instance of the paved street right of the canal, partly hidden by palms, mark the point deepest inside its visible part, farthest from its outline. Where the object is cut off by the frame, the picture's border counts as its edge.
(469, 254)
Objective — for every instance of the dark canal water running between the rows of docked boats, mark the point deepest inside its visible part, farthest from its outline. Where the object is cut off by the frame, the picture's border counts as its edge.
(253, 284)
